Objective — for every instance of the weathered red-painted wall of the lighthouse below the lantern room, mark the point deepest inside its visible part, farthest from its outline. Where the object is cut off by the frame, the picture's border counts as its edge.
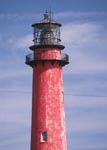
(48, 101)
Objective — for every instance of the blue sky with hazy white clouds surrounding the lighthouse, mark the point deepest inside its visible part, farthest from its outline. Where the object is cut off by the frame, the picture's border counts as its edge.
(84, 35)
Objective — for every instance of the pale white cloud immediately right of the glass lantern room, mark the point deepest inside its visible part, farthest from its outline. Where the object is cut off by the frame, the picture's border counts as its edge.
(79, 33)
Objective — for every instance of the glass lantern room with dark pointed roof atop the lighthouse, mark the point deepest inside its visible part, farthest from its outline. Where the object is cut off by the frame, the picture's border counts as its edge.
(46, 32)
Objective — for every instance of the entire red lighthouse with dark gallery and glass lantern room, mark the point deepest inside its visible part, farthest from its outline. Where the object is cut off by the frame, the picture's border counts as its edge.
(48, 118)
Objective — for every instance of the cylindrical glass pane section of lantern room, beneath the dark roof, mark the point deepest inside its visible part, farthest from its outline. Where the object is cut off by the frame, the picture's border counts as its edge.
(46, 34)
